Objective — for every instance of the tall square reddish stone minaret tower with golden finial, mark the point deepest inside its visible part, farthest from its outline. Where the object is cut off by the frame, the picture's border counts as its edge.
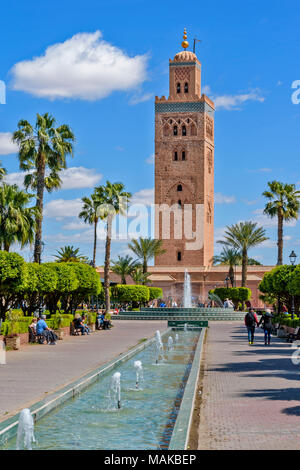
(184, 166)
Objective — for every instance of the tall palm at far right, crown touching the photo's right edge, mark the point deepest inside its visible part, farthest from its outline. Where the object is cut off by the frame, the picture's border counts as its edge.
(284, 203)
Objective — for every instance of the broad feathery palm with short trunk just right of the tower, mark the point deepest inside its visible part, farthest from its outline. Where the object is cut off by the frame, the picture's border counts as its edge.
(242, 237)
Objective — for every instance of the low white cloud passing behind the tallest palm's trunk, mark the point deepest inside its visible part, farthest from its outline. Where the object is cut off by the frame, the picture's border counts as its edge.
(72, 178)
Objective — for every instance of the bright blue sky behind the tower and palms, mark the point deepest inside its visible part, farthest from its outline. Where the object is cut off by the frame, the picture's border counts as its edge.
(249, 55)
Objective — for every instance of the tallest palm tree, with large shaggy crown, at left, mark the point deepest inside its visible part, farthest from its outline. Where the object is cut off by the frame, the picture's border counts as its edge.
(42, 152)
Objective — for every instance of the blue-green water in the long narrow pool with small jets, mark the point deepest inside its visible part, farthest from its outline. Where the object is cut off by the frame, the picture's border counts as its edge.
(57, 430)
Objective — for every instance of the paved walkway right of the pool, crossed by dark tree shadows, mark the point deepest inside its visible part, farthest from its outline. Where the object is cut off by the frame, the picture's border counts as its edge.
(251, 394)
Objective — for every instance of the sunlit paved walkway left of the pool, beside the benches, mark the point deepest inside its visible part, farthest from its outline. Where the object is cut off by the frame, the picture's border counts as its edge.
(37, 370)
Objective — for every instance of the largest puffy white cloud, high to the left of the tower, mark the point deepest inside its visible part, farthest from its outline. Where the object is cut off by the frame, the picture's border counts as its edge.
(84, 66)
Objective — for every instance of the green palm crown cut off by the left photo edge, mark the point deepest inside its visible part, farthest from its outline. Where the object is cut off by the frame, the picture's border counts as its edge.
(17, 221)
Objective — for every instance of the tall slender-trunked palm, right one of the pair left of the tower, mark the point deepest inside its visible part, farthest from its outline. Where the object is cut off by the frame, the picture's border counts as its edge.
(114, 201)
